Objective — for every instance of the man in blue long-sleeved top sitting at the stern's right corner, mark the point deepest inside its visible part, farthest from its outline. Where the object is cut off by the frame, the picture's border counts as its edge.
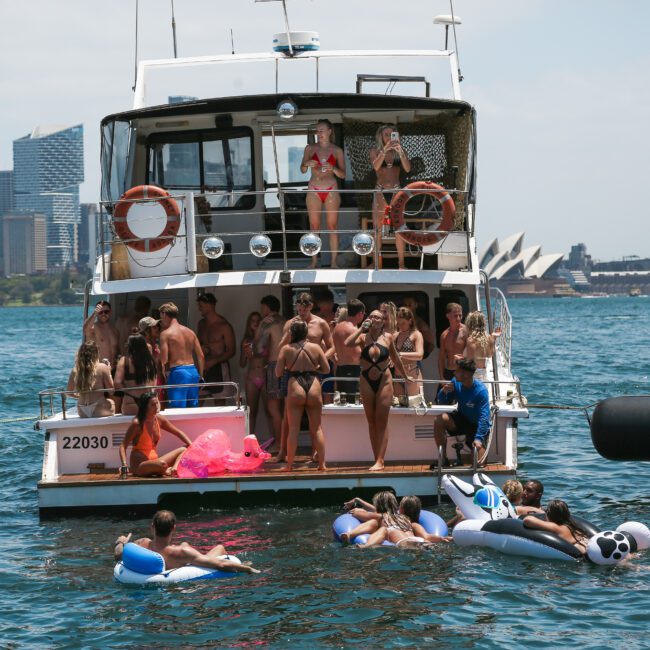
(473, 416)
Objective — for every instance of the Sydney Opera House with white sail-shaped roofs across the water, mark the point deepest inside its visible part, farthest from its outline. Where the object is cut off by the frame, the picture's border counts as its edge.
(519, 270)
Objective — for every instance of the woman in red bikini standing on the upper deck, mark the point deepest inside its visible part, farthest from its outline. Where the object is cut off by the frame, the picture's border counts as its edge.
(327, 163)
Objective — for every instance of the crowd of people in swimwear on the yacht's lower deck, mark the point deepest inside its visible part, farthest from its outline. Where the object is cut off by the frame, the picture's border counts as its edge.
(292, 367)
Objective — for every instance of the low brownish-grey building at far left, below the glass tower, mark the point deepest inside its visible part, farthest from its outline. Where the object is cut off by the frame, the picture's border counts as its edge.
(24, 243)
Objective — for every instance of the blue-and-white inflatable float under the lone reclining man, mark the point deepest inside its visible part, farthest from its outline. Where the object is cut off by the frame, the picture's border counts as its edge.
(140, 566)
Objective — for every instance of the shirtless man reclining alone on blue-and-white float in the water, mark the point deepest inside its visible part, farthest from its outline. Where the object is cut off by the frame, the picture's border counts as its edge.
(163, 525)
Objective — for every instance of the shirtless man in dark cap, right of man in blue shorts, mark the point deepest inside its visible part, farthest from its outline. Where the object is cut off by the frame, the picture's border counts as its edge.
(217, 340)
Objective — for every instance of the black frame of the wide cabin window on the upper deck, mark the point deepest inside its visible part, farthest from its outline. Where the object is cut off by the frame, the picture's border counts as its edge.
(199, 136)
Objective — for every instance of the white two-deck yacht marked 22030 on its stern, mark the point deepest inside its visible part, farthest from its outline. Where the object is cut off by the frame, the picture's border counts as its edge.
(235, 225)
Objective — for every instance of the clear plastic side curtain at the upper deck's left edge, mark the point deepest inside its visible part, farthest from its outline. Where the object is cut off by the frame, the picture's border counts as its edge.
(116, 158)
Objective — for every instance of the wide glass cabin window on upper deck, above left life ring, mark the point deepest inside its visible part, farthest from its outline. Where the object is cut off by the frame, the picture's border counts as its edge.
(204, 161)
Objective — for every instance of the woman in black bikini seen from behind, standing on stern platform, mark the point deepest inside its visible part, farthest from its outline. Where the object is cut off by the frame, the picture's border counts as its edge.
(303, 360)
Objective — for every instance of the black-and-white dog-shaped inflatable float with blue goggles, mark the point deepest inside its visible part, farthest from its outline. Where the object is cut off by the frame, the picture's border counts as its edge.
(492, 521)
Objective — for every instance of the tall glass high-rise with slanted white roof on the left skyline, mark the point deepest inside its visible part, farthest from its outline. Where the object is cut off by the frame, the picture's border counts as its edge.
(48, 169)
